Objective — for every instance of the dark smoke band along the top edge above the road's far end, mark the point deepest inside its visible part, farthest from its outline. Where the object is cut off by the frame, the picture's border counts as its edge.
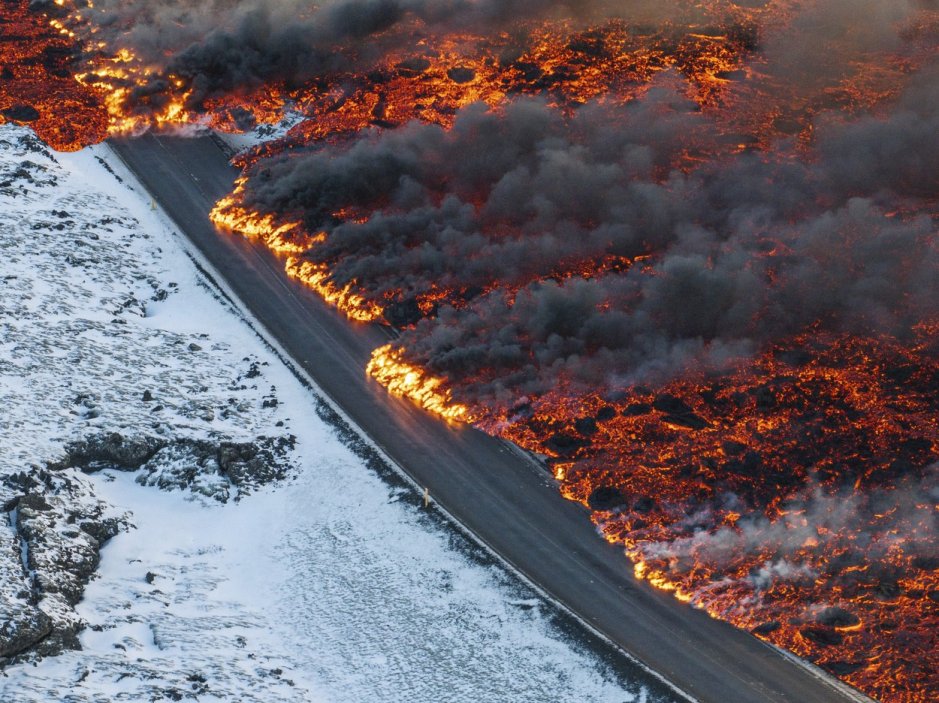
(226, 46)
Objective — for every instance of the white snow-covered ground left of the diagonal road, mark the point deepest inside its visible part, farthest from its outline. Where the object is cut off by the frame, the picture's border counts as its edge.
(330, 584)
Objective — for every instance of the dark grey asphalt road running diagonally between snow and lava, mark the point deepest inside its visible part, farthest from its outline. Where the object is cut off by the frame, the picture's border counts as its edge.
(504, 499)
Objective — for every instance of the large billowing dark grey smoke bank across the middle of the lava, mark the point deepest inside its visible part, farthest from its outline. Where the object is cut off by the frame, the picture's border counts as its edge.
(510, 208)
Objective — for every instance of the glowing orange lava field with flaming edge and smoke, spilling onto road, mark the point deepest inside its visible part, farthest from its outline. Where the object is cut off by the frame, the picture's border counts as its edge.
(685, 250)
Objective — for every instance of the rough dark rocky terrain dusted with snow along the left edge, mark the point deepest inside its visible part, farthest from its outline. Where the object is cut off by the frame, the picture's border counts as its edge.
(86, 383)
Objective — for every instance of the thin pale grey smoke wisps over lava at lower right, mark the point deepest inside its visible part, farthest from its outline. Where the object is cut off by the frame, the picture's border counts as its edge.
(820, 535)
